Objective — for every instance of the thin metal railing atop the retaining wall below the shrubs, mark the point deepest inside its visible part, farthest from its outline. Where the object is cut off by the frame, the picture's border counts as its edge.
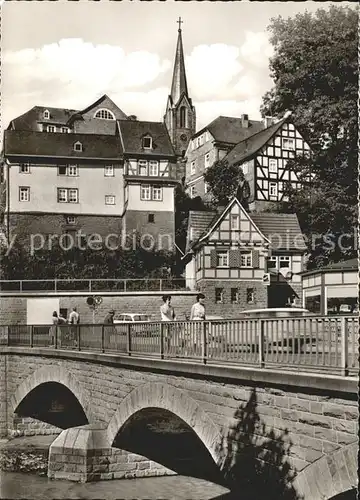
(95, 285)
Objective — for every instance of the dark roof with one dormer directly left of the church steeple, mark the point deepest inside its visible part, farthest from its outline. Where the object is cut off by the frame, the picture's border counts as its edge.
(132, 131)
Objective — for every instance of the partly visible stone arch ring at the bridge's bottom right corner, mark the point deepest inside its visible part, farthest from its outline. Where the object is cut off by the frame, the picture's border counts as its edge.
(329, 476)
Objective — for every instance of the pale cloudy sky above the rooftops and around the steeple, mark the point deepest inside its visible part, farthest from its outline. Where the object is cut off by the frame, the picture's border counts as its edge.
(68, 54)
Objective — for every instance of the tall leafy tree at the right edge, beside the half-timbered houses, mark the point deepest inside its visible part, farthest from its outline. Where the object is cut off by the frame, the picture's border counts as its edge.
(314, 69)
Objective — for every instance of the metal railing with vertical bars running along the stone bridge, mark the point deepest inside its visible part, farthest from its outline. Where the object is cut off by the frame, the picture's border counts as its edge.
(308, 343)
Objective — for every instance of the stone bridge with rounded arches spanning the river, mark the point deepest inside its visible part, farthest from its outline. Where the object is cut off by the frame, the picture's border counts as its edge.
(249, 428)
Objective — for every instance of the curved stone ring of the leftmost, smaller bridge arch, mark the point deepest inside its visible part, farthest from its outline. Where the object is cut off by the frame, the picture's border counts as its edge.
(57, 374)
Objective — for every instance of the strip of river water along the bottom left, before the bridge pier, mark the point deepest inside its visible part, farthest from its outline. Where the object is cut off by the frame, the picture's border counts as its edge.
(17, 485)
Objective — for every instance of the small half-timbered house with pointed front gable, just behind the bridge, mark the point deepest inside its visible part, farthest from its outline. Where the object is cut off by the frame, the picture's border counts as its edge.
(230, 257)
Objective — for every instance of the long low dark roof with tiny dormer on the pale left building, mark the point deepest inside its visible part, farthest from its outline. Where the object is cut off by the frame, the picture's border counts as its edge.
(53, 145)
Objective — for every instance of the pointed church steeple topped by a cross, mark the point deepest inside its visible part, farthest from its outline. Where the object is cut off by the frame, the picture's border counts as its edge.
(180, 115)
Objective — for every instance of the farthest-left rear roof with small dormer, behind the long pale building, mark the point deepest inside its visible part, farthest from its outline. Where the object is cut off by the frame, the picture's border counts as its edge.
(30, 119)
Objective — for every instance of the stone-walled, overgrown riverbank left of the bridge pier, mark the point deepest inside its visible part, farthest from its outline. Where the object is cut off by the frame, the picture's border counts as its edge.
(26, 454)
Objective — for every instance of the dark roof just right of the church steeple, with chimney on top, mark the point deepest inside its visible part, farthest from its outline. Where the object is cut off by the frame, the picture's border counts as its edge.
(230, 129)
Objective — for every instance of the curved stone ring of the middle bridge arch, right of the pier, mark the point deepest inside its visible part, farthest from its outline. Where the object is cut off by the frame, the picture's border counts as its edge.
(167, 397)
